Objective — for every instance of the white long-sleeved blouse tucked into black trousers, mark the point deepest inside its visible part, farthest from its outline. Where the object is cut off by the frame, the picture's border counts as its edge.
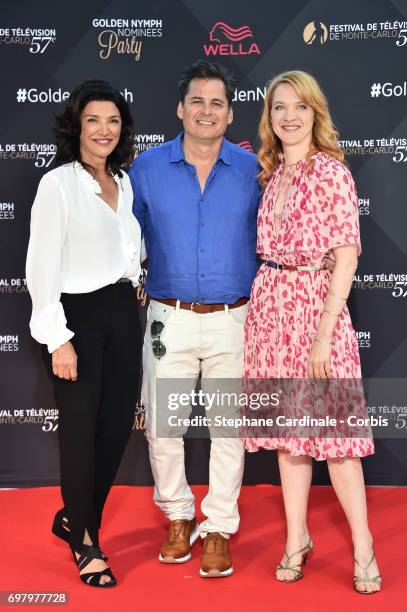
(77, 244)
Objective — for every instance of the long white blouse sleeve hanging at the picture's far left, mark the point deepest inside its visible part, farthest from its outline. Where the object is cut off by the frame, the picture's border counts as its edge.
(49, 220)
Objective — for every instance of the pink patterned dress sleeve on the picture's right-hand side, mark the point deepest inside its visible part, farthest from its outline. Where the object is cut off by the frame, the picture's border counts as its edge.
(340, 211)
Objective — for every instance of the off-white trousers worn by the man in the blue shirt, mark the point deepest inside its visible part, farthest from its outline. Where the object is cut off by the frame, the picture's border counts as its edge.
(213, 345)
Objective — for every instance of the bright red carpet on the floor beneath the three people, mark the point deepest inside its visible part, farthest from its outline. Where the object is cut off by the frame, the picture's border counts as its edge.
(32, 559)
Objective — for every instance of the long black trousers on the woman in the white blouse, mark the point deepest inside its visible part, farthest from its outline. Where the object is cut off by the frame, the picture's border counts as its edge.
(96, 413)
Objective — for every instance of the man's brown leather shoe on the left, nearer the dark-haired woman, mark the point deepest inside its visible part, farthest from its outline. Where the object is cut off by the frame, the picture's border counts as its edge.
(182, 534)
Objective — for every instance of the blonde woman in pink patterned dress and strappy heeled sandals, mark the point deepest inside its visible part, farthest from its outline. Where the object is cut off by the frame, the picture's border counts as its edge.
(298, 325)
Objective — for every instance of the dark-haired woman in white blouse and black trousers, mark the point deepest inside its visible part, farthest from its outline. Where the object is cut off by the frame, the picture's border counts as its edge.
(82, 265)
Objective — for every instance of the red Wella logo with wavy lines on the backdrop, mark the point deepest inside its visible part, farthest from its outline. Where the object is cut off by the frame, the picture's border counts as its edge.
(221, 31)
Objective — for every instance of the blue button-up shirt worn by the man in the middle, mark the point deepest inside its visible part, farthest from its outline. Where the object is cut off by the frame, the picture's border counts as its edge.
(201, 247)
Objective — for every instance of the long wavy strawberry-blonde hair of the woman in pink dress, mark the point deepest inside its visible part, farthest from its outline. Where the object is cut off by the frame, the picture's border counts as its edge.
(324, 134)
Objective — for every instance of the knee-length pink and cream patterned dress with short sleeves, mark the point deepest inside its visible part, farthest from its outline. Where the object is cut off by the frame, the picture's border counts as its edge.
(320, 213)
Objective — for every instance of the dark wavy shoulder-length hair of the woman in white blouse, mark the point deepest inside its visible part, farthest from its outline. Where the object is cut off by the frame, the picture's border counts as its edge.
(67, 127)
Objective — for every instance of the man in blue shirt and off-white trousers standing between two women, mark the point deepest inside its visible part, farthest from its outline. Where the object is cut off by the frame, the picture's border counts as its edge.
(196, 198)
